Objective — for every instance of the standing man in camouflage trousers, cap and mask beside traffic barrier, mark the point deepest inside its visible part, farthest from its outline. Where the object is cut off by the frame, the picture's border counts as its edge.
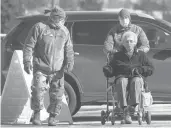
(51, 48)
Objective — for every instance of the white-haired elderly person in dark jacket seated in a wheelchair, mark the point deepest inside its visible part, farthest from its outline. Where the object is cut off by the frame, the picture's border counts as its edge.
(129, 67)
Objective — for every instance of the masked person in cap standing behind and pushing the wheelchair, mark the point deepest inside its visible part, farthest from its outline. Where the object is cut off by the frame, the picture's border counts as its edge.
(112, 43)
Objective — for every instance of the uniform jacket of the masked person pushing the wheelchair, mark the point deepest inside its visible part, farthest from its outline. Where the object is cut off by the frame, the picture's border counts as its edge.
(111, 45)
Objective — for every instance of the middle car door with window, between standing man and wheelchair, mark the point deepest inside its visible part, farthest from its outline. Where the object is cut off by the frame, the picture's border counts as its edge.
(88, 38)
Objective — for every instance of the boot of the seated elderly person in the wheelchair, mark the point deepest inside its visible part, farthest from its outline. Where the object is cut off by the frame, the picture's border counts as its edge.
(126, 117)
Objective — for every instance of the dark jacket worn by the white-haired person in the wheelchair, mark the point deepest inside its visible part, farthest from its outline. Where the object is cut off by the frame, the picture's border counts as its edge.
(123, 65)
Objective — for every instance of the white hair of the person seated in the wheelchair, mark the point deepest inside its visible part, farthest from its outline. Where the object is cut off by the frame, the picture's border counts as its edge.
(129, 34)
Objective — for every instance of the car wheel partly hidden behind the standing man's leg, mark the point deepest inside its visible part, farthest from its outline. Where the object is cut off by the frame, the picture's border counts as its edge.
(70, 97)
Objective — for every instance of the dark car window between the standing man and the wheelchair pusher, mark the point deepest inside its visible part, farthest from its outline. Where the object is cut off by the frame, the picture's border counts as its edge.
(91, 32)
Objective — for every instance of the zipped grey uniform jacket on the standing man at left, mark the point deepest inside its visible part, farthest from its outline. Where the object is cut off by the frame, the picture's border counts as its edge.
(49, 47)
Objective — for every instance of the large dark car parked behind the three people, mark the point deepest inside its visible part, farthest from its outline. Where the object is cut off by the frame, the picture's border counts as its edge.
(87, 84)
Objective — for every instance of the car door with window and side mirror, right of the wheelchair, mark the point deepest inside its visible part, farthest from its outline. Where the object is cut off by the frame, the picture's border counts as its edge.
(160, 53)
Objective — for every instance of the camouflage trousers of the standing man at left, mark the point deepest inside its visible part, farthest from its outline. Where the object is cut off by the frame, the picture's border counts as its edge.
(40, 87)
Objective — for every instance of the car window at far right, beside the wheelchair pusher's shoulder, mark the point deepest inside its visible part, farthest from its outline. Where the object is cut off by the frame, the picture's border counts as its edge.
(157, 38)
